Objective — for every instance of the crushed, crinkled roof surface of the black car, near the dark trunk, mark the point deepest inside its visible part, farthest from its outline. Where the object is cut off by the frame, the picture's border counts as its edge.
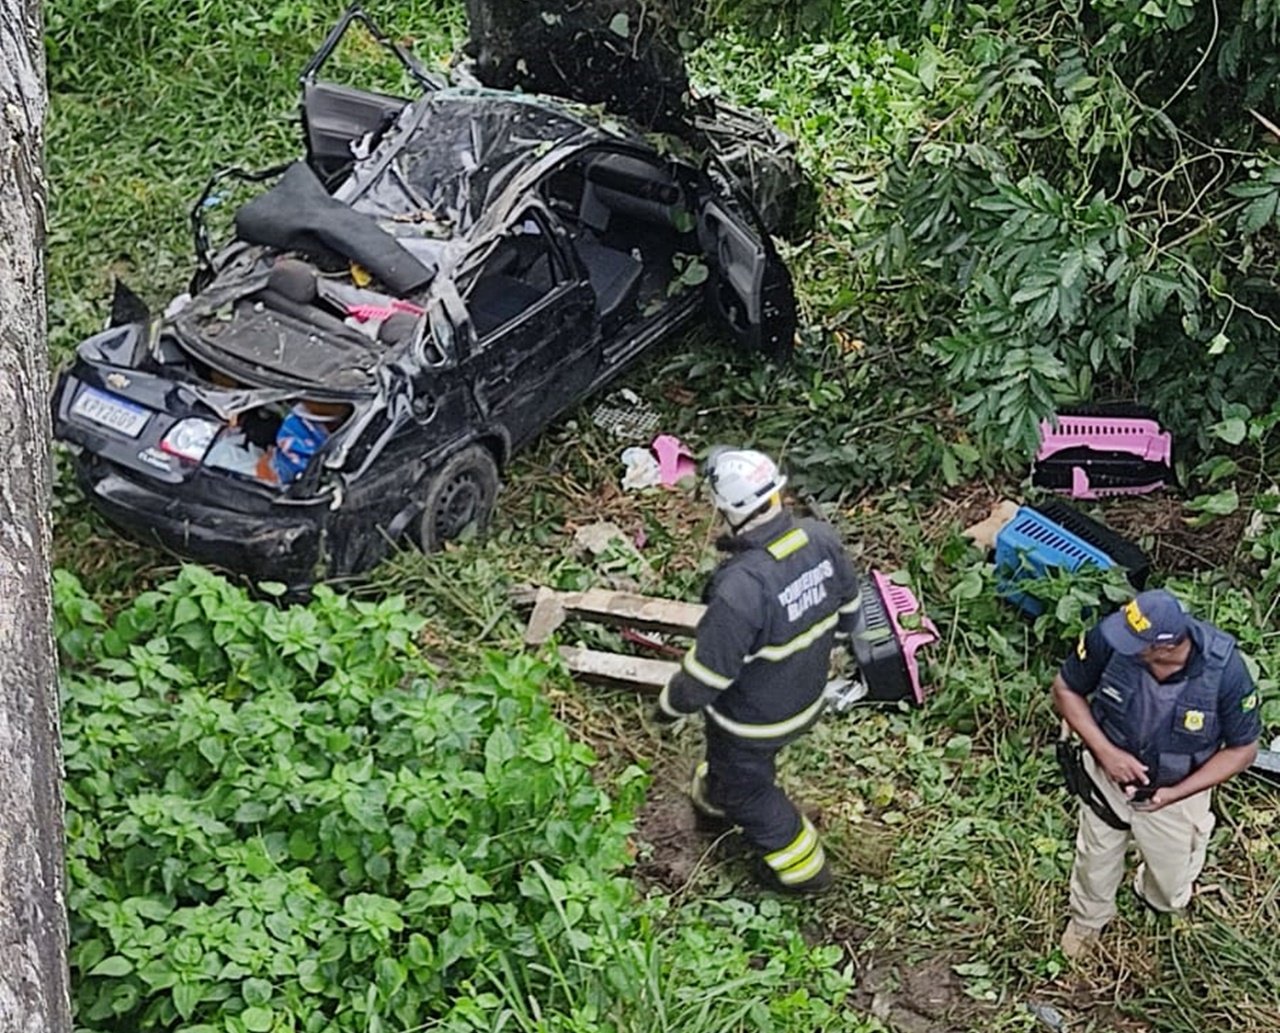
(461, 147)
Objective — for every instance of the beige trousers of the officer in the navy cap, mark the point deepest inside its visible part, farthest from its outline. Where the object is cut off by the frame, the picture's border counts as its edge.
(1172, 843)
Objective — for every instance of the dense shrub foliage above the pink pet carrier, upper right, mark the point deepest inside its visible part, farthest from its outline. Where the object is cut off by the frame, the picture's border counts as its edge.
(1049, 202)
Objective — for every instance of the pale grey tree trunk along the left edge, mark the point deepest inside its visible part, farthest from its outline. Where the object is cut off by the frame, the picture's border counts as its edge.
(34, 997)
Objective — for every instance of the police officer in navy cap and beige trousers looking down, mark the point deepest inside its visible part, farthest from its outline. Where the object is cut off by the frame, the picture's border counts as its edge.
(1167, 711)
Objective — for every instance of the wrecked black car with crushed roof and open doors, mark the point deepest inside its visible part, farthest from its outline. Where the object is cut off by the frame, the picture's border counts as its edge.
(437, 282)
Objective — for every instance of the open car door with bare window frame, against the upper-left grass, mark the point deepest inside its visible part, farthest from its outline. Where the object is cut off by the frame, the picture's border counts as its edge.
(337, 118)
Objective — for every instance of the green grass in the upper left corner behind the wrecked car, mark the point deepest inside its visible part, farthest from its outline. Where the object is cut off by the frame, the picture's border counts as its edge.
(149, 100)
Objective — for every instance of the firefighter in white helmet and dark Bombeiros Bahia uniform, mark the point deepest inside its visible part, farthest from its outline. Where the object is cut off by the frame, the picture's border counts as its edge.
(758, 666)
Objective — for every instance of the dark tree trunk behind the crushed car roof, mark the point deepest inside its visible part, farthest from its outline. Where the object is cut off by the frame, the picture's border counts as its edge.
(624, 54)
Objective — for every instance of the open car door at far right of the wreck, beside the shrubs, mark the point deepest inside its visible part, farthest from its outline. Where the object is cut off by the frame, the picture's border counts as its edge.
(749, 290)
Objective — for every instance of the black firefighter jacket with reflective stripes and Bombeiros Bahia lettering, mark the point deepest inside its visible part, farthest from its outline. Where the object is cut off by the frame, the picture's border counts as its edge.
(758, 665)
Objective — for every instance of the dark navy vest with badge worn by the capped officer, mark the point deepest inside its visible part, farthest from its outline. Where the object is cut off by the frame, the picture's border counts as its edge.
(1174, 744)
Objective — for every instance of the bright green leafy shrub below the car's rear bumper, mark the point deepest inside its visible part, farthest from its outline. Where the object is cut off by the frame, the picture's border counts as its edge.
(286, 813)
